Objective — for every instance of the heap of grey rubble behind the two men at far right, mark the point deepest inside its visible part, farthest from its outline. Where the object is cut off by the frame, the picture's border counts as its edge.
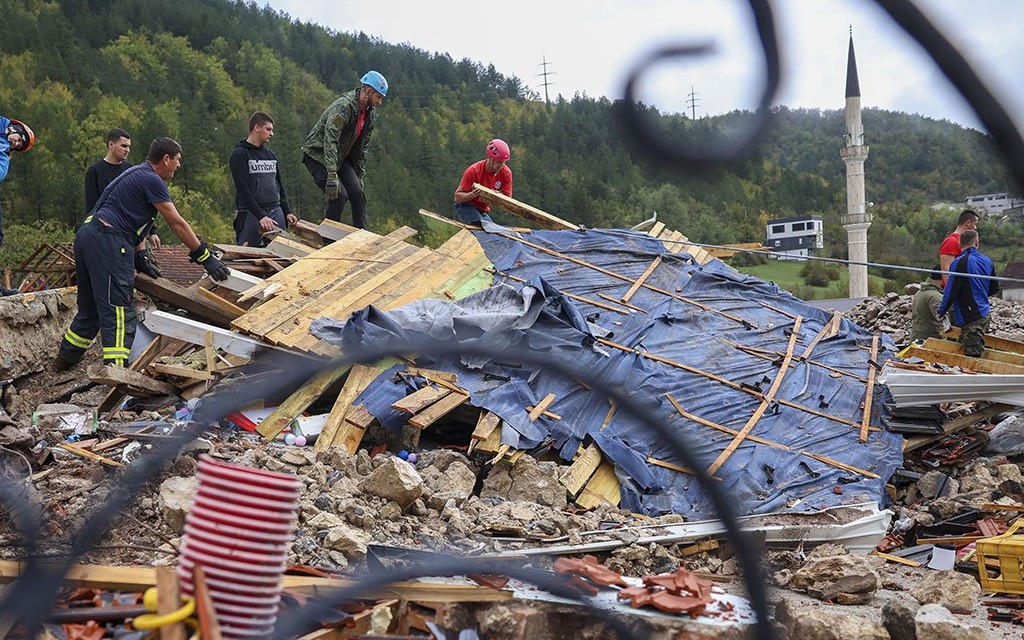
(892, 315)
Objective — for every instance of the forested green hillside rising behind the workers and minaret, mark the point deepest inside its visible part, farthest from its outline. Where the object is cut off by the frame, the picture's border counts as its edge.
(194, 70)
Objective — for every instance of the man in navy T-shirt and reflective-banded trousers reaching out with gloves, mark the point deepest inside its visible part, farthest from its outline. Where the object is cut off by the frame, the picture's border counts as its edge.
(105, 255)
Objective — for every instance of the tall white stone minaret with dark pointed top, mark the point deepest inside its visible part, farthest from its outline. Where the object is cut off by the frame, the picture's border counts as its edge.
(858, 220)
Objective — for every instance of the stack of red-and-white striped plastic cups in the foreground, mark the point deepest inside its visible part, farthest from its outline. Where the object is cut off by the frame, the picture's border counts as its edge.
(239, 531)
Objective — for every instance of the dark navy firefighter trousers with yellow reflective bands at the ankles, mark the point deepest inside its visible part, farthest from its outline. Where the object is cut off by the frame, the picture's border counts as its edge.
(105, 268)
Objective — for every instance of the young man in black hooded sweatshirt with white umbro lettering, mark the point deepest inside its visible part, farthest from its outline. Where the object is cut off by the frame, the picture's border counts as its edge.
(261, 204)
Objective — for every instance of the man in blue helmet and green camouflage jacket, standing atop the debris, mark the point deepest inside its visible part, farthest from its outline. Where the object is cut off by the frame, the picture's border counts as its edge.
(335, 151)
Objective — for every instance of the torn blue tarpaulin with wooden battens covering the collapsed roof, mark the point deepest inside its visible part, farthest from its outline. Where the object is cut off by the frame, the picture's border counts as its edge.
(703, 346)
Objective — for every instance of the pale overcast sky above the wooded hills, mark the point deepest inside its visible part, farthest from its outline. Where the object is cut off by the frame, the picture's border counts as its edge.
(590, 48)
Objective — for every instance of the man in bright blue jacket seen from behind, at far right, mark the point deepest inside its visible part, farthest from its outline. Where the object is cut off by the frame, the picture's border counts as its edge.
(968, 297)
